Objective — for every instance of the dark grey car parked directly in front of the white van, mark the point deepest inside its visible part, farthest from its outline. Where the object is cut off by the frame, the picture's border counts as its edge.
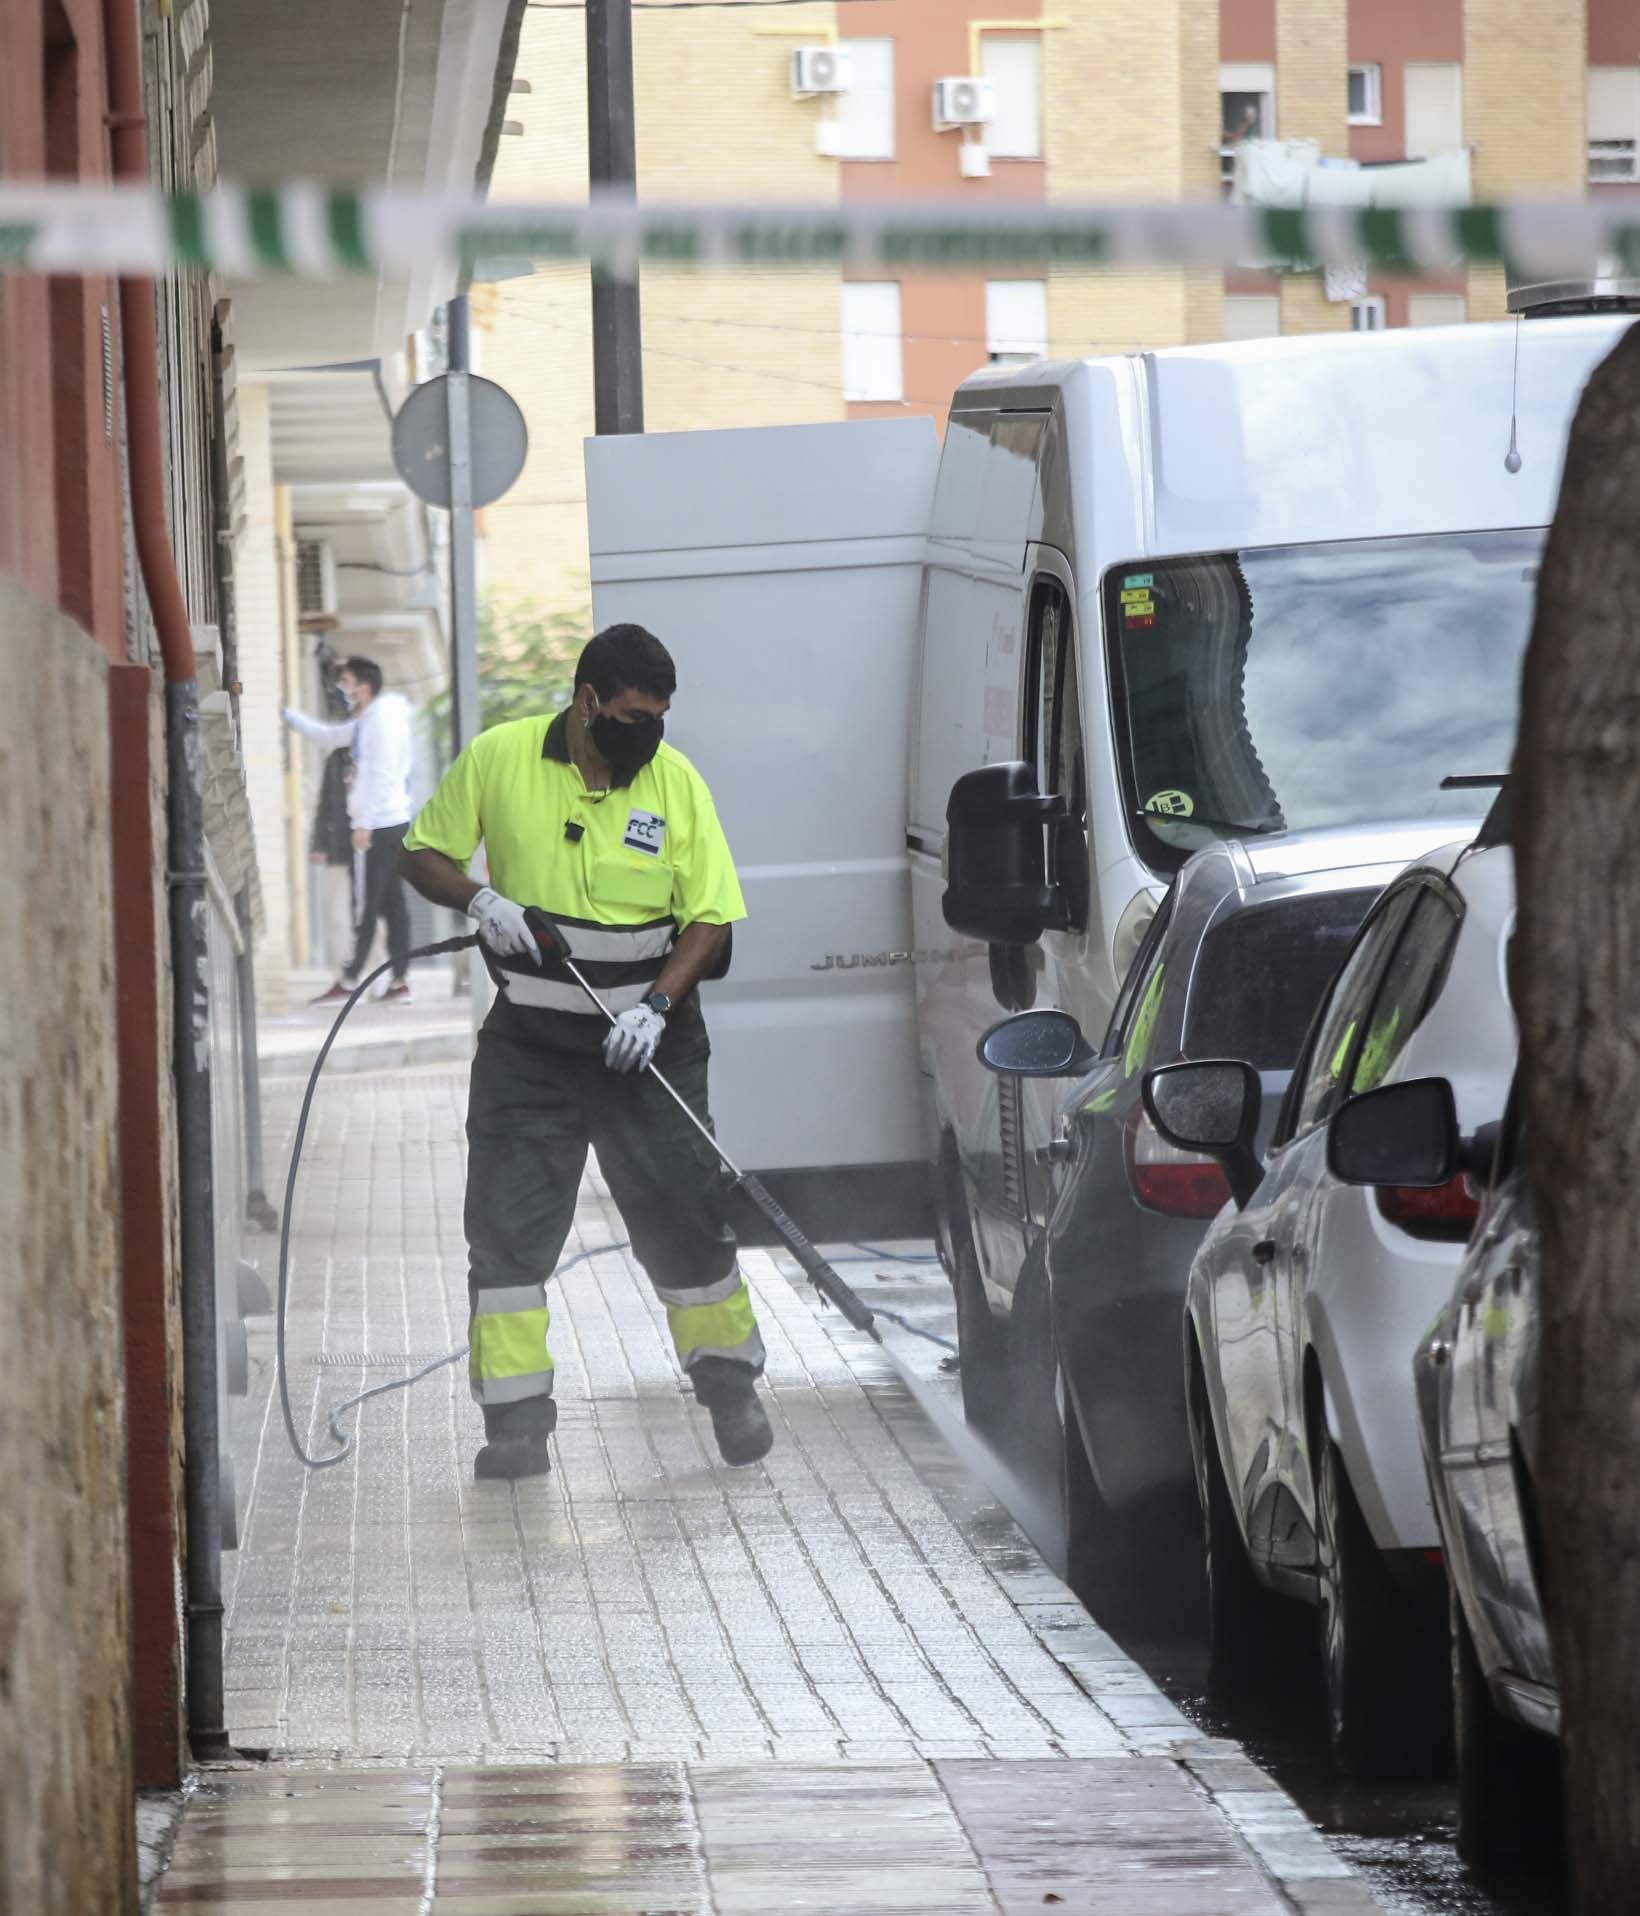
(1082, 1375)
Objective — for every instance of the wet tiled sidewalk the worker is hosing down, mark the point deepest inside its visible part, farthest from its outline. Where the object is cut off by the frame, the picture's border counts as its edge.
(838, 1681)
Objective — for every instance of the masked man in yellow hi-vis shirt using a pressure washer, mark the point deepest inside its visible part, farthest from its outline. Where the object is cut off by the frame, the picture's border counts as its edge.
(614, 834)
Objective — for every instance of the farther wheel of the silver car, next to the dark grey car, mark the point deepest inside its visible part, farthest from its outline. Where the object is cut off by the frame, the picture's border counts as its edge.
(1252, 1633)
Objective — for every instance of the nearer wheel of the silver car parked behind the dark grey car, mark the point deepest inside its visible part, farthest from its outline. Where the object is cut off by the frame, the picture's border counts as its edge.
(1382, 1658)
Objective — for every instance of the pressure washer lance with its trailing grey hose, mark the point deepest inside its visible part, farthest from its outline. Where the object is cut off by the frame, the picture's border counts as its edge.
(821, 1275)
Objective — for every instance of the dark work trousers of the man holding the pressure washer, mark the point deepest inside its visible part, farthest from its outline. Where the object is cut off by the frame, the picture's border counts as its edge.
(539, 1097)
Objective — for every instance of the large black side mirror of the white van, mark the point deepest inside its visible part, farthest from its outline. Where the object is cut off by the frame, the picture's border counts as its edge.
(997, 869)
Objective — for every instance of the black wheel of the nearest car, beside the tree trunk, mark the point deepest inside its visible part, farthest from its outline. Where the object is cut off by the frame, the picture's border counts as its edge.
(1509, 1777)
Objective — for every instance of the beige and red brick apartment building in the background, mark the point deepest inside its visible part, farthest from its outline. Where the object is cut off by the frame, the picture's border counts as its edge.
(865, 101)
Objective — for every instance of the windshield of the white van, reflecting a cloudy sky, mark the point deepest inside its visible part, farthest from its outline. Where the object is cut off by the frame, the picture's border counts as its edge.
(1298, 687)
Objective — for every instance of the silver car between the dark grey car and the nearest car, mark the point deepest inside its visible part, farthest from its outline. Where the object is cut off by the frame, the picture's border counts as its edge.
(1308, 1298)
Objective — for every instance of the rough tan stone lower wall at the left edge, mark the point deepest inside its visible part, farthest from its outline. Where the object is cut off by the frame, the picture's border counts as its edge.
(66, 1766)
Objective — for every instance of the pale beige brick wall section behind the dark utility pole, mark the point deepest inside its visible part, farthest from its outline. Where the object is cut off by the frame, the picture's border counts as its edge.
(716, 112)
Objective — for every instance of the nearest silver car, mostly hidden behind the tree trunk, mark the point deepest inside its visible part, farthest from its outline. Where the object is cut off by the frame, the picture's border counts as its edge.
(1478, 1415)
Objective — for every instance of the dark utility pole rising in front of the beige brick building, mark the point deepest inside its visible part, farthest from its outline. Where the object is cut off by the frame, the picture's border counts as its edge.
(612, 154)
